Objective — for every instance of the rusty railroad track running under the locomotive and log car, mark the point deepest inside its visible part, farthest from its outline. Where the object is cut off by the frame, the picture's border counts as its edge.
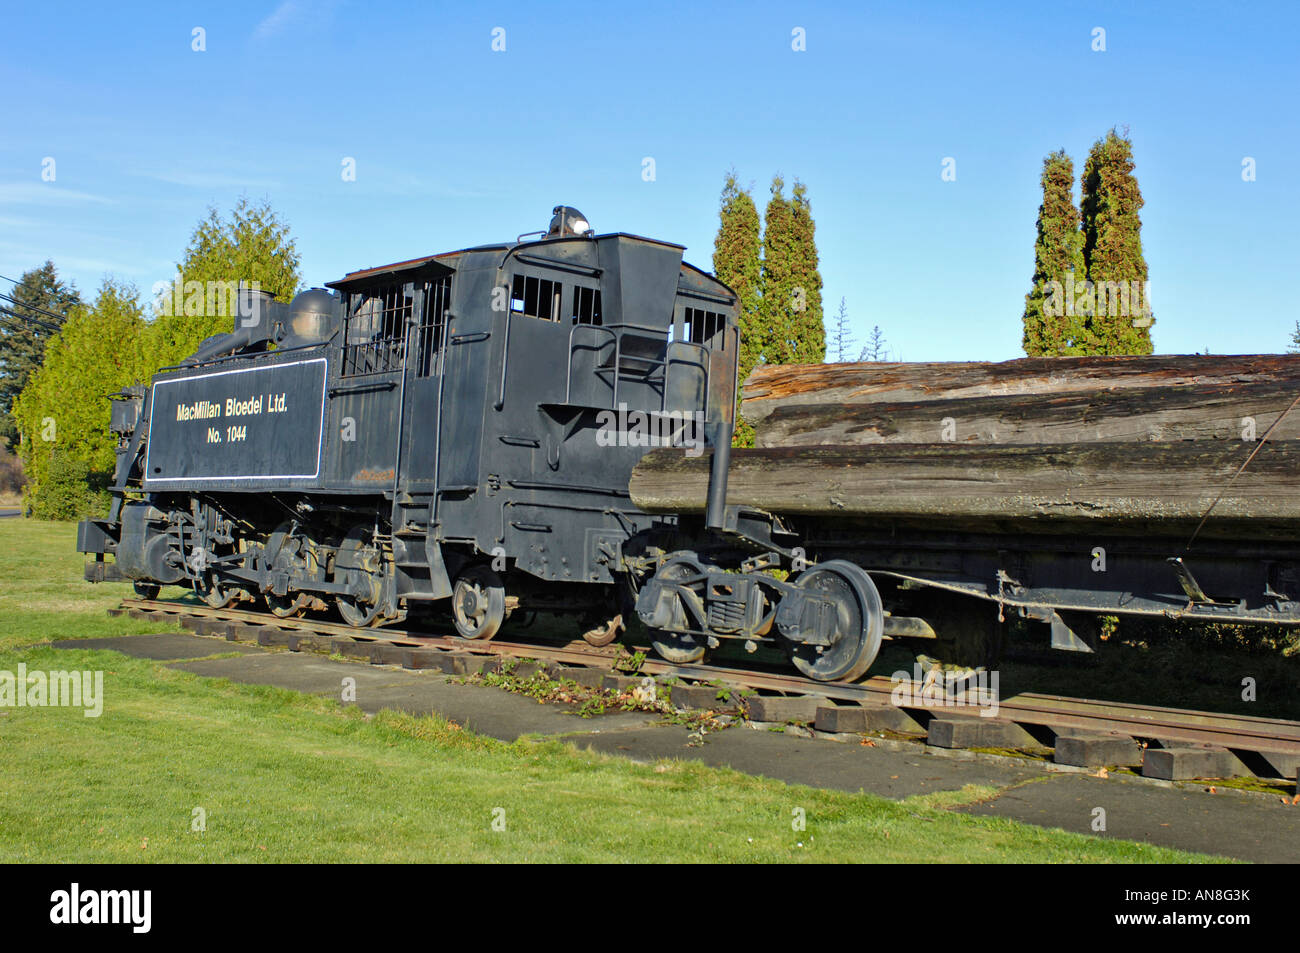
(1260, 747)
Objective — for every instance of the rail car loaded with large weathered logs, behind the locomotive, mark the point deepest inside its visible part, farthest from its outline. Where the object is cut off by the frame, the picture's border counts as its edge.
(1160, 505)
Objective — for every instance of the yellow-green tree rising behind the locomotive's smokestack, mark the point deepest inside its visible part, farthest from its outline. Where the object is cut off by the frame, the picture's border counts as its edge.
(252, 246)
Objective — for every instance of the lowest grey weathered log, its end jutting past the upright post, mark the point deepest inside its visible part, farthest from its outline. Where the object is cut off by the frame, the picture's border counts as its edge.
(1102, 488)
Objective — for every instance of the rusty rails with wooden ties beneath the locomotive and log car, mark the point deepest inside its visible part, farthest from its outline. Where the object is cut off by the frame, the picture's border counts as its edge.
(1167, 744)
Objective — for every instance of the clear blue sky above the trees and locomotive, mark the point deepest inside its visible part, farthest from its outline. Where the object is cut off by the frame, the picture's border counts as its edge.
(458, 145)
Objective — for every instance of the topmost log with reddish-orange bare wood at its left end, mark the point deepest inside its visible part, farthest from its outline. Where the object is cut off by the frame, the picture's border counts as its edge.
(772, 387)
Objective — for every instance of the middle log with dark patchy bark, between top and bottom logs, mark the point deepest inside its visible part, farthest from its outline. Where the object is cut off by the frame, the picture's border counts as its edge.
(1223, 413)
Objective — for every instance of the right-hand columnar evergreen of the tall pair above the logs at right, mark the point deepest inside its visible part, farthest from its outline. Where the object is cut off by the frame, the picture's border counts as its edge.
(1112, 252)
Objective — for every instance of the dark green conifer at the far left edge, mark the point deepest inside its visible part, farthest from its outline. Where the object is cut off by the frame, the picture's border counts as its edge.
(40, 296)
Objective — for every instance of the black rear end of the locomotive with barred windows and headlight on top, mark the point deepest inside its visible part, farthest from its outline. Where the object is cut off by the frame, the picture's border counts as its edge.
(567, 359)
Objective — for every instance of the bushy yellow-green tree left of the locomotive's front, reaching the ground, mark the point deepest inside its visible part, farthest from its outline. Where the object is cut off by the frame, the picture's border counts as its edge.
(63, 415)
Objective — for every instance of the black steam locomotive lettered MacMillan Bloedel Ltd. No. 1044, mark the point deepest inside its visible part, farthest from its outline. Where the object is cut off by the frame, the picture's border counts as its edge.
(456, 435)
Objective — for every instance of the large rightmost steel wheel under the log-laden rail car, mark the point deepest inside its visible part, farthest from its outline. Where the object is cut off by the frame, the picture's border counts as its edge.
(859, 629)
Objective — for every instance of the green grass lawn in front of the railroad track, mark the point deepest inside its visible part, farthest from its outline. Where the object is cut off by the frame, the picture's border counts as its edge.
(285, 777)
